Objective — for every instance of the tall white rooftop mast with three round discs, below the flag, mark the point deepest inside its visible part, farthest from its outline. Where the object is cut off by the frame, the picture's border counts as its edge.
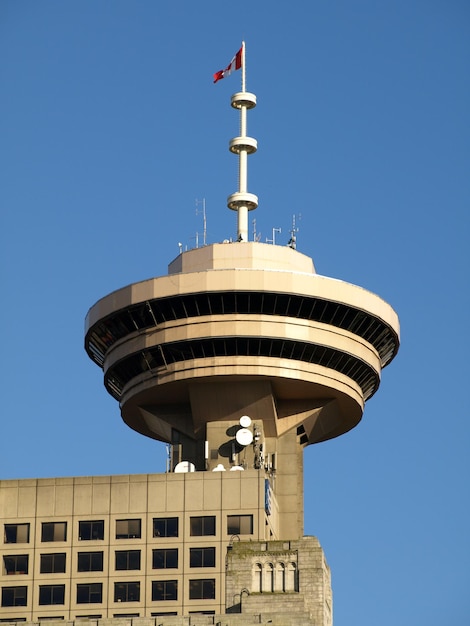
(242, 201)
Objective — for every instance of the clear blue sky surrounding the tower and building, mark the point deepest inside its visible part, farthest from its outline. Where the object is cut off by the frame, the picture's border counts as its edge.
(111, 129)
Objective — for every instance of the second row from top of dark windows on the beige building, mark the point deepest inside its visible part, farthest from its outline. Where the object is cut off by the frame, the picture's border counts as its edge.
(55, 563)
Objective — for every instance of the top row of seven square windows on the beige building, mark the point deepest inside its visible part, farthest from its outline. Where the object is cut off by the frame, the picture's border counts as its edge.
(200, 526)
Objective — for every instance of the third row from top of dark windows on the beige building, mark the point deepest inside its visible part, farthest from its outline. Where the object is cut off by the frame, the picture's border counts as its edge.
(92, 593)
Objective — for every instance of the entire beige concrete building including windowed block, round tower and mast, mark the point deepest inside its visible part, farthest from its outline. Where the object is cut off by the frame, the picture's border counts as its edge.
(237, 359)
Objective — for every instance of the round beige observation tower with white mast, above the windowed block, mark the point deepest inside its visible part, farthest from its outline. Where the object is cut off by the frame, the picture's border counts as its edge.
(243, 355)
